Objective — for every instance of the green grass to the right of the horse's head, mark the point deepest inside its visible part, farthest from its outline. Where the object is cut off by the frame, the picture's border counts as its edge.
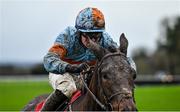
(158, 98)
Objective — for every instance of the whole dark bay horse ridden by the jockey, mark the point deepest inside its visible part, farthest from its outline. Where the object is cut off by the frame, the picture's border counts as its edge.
(112, 84)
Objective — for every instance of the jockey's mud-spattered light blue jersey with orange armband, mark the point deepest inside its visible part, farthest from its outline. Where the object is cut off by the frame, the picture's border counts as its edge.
(68, 49)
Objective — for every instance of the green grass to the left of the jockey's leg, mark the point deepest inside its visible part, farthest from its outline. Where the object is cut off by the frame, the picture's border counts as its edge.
(15, 95)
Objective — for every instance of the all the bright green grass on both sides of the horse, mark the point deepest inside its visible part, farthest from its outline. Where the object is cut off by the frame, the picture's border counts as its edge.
(14, 95)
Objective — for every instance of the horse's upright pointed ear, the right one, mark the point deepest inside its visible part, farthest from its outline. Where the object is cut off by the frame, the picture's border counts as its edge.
(123, 44)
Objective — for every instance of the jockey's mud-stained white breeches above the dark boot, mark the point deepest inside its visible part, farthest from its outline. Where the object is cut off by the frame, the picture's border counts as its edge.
(64, 83)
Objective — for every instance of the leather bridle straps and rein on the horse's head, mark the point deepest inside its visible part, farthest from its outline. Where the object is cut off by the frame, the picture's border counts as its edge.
(107, 106)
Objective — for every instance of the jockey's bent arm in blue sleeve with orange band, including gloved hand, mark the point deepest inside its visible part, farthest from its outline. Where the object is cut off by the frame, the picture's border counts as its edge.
(54, 59)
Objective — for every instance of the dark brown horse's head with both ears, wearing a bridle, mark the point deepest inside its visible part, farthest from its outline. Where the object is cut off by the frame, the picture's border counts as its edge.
(114, 76)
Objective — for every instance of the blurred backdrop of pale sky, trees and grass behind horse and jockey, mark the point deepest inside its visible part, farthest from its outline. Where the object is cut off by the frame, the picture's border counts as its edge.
(28, 28)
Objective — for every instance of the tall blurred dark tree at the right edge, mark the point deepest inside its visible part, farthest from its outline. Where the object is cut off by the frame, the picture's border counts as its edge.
(170, 43)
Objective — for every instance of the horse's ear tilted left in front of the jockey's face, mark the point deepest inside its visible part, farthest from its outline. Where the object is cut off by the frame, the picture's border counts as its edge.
(98, 51)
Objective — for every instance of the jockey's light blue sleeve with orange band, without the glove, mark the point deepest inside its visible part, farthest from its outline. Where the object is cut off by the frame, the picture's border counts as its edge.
(52, 60)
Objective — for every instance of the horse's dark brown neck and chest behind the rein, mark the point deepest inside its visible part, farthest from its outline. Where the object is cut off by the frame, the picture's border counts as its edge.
(86, 102)
